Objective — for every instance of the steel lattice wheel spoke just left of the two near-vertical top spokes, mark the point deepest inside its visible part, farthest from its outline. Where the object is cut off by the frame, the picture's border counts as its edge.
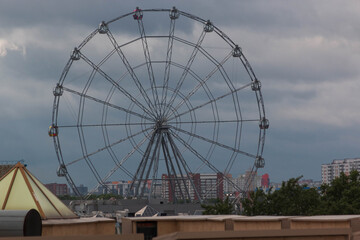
(131, 71)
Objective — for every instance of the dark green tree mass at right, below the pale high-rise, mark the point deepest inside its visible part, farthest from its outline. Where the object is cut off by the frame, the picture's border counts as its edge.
(341, 196)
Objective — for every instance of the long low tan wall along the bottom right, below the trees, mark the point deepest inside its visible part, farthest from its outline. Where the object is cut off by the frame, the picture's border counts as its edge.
(316, 227)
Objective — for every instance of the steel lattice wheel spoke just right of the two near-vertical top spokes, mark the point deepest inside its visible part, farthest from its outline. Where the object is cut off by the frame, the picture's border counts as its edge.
(186, 70)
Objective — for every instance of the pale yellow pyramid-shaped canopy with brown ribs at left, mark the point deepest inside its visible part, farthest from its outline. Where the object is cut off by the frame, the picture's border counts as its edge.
(20, 190)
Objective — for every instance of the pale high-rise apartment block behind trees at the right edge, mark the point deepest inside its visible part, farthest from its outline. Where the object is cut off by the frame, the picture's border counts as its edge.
(331, 171)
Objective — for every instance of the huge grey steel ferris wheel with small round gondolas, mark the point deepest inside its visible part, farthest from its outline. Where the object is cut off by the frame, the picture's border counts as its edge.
(156, 98)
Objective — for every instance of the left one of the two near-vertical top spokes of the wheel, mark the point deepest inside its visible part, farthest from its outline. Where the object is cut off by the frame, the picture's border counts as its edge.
(148, 64)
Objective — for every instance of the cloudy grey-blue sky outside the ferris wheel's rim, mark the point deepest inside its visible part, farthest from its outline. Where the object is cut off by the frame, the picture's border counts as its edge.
(305, 53)
